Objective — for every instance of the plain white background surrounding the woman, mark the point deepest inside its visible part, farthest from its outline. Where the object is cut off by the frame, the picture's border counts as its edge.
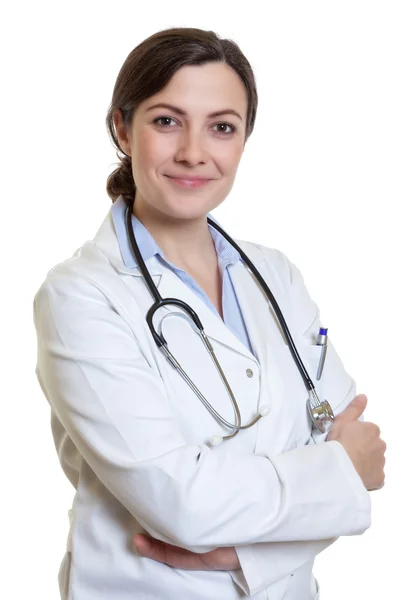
(327, 177)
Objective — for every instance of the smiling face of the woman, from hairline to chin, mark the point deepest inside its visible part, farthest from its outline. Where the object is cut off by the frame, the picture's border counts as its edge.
(187, 145)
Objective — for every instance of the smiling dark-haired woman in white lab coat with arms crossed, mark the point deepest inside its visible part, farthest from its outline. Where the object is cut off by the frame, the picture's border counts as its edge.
(246, 516)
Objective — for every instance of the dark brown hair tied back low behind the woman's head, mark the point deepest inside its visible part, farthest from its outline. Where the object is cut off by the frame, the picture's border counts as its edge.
(149, 68)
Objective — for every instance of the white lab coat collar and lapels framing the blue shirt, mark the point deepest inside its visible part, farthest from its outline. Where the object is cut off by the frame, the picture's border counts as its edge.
(170, 286)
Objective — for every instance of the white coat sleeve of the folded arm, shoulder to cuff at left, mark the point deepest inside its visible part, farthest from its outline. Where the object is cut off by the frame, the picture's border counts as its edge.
(115, 409)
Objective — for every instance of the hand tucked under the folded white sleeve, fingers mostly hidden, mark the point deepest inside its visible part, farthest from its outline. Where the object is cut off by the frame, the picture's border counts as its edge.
(221, 559)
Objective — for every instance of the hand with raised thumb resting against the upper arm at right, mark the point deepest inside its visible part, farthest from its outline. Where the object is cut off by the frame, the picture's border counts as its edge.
(362, 442)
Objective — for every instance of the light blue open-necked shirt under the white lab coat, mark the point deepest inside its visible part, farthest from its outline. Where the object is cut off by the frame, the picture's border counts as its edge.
(226, 254)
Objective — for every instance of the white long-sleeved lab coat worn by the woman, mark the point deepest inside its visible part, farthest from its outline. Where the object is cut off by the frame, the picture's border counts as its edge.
(133, 438)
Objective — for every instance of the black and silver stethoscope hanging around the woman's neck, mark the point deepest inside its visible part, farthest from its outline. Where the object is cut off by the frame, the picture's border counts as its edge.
(319, 412)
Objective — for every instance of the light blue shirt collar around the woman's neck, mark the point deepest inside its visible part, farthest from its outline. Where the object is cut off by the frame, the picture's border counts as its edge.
(147, 245)
